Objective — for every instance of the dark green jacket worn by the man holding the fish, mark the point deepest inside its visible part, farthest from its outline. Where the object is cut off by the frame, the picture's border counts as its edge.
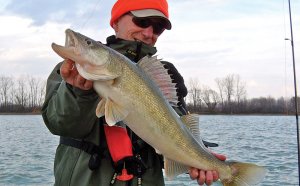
(70, 112)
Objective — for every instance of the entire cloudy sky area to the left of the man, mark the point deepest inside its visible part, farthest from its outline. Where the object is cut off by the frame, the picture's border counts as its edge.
(26, 38)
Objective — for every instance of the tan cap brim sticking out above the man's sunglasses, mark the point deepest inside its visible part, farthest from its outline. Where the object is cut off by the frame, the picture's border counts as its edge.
(152, 13)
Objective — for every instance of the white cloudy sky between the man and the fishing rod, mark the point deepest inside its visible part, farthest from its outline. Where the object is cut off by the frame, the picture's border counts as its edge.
(244, 42)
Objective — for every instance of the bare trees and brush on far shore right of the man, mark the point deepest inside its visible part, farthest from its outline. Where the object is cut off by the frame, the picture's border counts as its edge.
(230, 97)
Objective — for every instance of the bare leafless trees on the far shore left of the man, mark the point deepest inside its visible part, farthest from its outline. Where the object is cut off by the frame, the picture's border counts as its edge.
(24, 94)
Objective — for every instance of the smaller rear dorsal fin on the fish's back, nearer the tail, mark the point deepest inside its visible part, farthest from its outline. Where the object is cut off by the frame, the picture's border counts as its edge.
(191, 121)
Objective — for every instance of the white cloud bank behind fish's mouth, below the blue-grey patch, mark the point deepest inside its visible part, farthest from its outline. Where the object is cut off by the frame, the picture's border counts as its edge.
(26, 48)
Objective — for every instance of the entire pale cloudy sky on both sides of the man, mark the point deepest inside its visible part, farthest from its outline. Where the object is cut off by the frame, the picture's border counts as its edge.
(209, 39)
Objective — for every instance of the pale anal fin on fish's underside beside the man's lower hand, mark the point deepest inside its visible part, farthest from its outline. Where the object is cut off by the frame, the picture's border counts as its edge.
(173, 169)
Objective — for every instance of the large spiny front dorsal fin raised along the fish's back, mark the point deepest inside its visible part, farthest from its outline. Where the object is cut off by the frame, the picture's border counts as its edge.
(156, 71)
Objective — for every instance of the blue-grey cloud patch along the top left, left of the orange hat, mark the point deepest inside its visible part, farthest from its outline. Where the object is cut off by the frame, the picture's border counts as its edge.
(74, 12)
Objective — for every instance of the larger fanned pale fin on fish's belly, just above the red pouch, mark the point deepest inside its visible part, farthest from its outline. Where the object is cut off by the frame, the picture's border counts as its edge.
(114, 112)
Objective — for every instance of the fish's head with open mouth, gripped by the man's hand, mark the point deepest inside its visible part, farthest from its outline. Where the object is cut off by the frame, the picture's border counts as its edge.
(91, 57)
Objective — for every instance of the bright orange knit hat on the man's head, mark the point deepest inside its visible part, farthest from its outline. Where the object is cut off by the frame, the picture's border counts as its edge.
(123, 6)
